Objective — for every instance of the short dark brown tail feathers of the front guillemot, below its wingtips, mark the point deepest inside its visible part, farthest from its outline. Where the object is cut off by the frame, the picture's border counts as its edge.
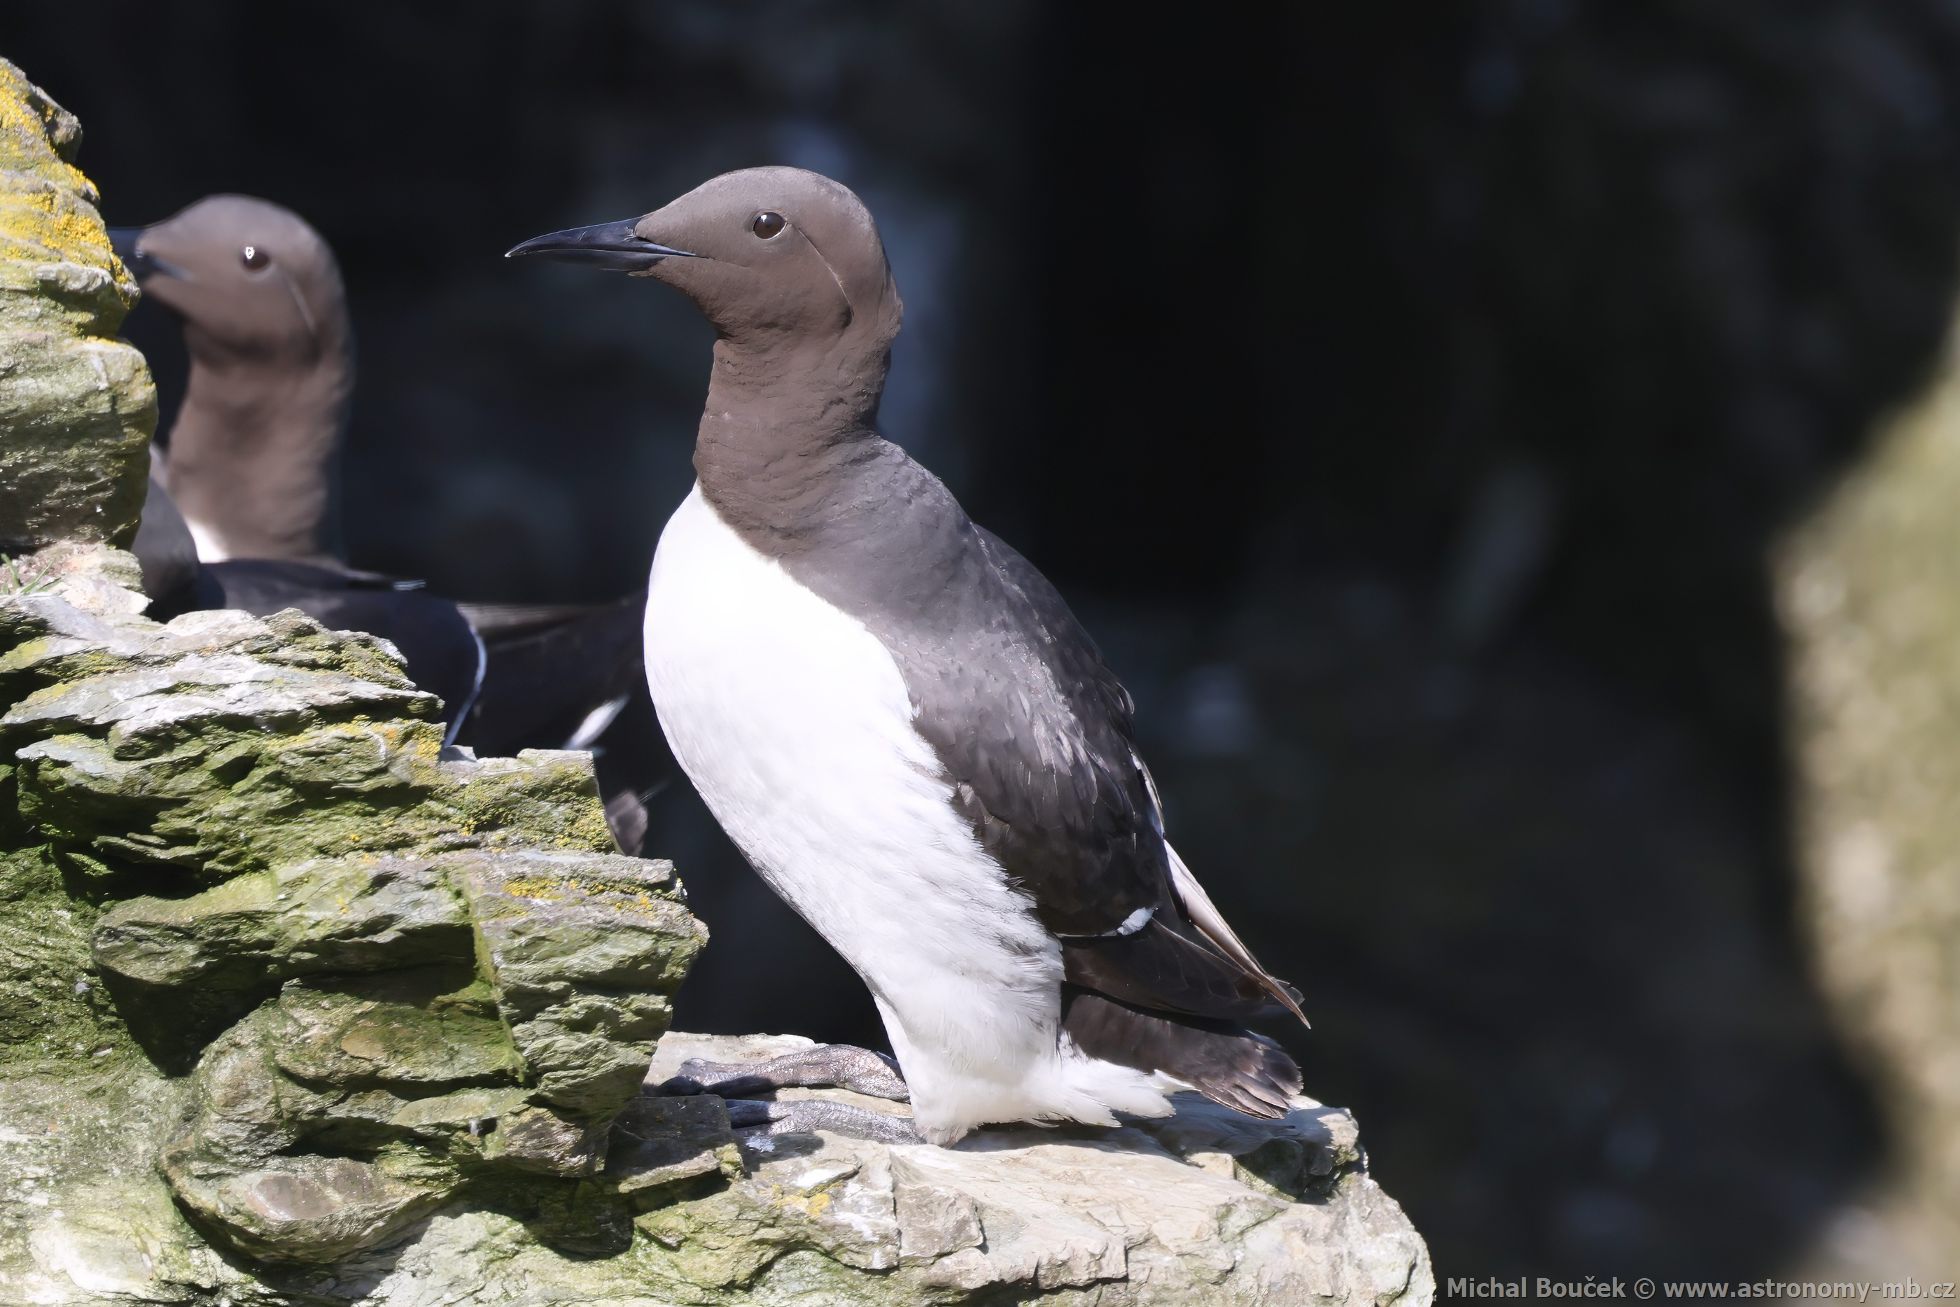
(1228, 1065)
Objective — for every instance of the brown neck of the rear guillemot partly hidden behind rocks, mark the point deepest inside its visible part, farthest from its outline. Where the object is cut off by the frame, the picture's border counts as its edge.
(252, 454)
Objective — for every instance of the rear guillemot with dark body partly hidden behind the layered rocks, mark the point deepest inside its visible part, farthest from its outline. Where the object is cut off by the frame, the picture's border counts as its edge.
(248, 477)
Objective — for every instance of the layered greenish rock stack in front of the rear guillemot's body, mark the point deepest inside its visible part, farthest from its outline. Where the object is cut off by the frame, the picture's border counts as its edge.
(391, 979)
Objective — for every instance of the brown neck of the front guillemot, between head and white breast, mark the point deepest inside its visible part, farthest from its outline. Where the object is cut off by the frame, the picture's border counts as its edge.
(781, 434)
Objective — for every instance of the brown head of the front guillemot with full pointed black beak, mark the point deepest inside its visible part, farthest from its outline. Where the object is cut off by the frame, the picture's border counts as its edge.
(769, 256)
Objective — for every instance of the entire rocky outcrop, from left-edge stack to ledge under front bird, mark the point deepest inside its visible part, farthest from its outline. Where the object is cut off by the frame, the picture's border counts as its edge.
(301, 1008)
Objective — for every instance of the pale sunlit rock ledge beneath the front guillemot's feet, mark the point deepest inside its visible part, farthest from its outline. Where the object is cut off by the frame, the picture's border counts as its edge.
(1202, 1208)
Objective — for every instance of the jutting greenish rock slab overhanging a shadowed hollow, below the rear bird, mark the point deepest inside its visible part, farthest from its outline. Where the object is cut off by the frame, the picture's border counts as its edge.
(607, 930)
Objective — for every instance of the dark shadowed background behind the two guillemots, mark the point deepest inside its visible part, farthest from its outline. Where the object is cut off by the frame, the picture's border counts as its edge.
(1408, 397)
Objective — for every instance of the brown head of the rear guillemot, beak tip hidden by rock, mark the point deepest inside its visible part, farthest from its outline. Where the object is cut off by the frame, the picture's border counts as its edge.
(252, 281)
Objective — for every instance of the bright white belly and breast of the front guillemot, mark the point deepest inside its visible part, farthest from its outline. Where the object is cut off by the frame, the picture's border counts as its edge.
(795, 724)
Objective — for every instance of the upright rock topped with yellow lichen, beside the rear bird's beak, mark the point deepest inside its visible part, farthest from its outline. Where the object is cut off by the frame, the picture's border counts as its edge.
(77, 407)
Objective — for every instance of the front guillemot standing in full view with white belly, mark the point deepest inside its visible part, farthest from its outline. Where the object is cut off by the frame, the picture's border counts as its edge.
(901, 722)
